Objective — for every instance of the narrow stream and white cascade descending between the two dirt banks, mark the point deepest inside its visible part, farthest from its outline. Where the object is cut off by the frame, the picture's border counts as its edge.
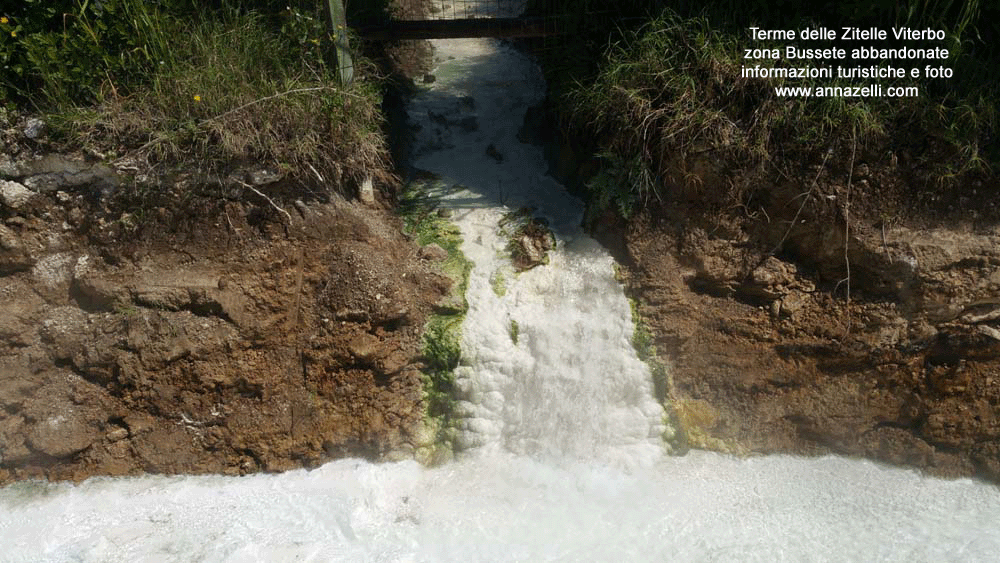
(571, 385)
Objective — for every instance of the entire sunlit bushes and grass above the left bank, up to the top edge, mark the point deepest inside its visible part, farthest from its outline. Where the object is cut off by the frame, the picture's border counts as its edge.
(205, 86)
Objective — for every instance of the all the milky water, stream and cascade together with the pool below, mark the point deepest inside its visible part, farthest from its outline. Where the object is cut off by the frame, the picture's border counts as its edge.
(563, 443)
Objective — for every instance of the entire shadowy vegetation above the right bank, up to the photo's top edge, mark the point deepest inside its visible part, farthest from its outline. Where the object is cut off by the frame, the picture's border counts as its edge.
(661, 100)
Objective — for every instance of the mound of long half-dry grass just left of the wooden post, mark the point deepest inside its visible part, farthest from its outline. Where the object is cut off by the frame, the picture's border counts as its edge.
(235, 94)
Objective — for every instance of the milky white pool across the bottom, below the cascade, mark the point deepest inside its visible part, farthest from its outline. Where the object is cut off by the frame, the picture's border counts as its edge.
(702, 507)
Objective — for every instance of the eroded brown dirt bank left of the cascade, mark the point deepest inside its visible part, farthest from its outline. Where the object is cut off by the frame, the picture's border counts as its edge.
(201, 334)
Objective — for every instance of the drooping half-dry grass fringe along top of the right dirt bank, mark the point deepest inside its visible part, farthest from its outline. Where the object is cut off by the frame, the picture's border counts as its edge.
(669, 103)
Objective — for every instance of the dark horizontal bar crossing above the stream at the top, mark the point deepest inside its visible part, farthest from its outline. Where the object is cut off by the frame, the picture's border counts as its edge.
(456, 28)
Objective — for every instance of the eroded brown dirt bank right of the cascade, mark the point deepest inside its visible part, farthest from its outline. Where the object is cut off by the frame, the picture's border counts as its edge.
(770, 353)
